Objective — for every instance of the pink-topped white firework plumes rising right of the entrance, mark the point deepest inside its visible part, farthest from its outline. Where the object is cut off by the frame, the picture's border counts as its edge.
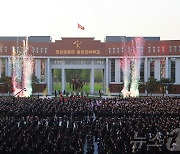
(136, 45)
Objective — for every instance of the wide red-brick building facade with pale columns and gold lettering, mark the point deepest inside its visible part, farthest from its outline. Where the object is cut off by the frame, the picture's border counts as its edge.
(159, 58)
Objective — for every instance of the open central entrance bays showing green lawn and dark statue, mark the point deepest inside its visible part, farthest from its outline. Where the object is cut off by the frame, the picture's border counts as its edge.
(78, 80)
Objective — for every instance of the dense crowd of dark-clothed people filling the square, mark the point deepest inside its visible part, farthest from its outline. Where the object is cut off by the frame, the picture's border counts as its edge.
(89, 125)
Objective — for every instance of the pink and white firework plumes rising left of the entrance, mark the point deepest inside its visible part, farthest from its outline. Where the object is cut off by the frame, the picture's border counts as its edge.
(22, 71)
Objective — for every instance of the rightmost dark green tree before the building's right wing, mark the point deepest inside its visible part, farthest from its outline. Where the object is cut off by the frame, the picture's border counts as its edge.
(165, 84)
